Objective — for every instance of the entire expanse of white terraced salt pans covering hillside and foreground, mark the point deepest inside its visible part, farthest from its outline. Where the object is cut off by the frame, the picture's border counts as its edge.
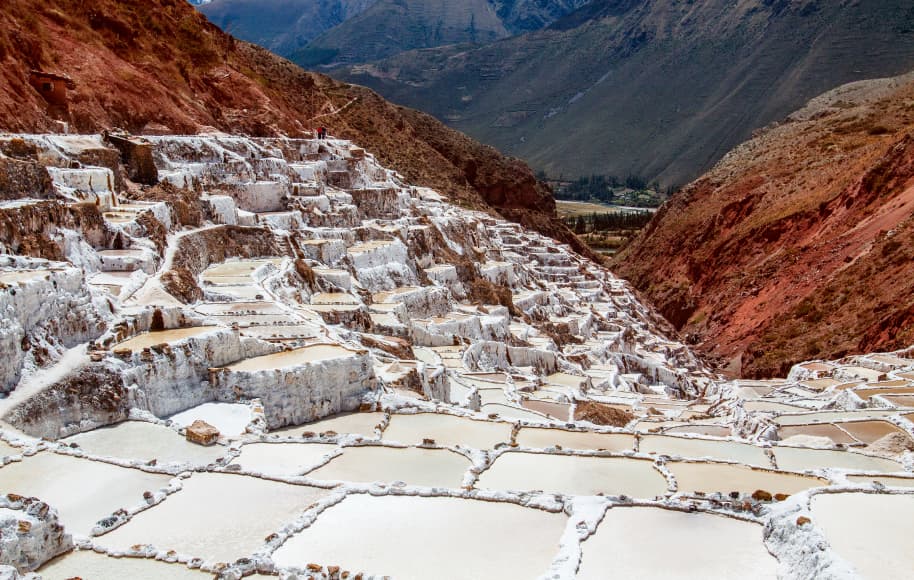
(472, 454)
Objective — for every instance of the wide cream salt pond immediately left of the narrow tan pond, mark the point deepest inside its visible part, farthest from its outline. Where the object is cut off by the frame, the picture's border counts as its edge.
(574, 475)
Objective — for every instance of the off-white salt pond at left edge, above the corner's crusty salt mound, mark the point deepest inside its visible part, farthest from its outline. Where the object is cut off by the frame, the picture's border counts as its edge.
(71, 486)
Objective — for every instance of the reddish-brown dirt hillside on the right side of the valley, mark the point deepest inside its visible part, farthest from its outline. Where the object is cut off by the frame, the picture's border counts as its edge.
(799, 244)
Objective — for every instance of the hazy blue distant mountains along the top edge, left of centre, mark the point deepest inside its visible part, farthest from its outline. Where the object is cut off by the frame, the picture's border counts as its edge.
(287, 26)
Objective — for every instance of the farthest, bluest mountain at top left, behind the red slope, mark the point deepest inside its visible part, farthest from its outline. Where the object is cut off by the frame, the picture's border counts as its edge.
(282, 26)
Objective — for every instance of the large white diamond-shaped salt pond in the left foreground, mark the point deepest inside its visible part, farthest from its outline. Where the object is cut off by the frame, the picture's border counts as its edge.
(206, 520)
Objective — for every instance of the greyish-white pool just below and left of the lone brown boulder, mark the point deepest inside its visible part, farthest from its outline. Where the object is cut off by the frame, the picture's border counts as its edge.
(144, 441)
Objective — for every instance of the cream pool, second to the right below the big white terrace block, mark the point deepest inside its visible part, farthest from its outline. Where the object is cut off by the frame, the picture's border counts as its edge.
(446, 430)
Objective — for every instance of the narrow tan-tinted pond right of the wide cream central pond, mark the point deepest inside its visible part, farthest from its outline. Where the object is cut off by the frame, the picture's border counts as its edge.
(724, 478)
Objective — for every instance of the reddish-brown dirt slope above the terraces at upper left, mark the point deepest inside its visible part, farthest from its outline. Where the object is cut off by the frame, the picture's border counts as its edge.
(140, 65)
